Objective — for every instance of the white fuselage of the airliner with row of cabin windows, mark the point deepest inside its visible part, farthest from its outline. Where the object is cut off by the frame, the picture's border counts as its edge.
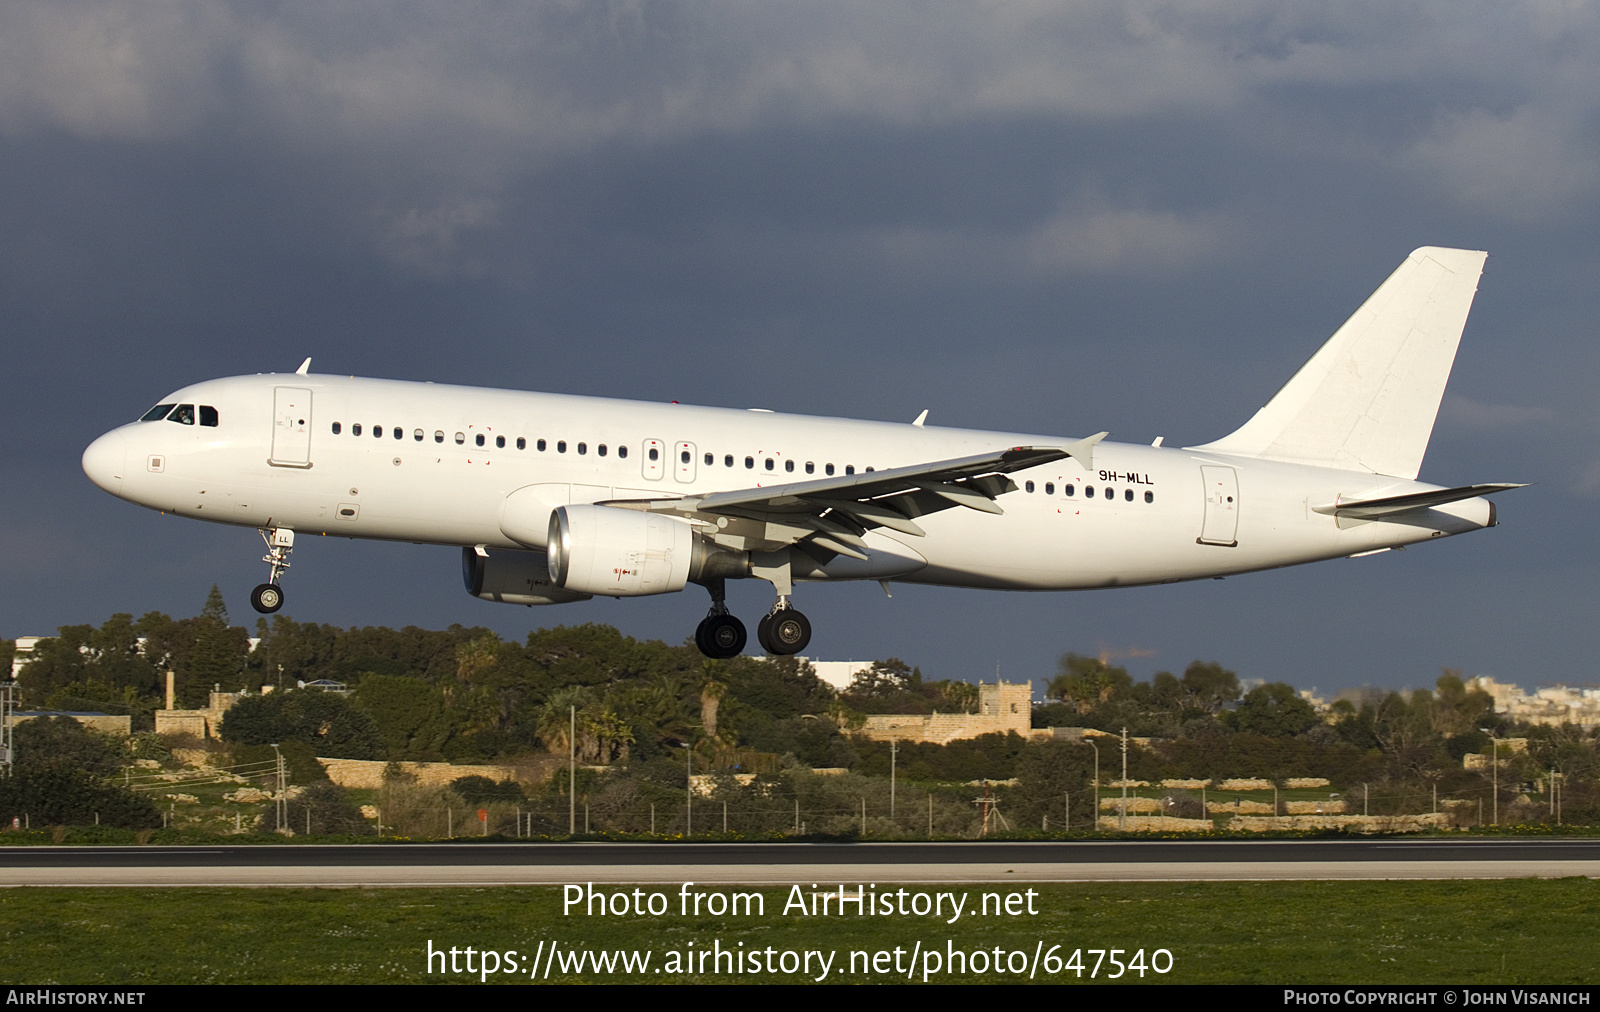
(431, 464)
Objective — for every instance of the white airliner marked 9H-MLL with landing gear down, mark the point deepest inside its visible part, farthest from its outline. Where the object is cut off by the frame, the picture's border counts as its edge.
(558, 499)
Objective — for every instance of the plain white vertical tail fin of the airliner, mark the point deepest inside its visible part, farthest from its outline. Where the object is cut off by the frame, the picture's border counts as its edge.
(1367, 401)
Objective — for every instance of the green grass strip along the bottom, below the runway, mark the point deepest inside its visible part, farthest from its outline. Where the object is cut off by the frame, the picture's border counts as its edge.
(1226, 933)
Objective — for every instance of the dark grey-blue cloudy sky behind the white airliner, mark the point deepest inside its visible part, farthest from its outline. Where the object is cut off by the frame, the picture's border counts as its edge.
(1036, 217)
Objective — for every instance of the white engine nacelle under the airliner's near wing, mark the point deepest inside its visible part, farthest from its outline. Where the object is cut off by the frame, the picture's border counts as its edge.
(623, 553)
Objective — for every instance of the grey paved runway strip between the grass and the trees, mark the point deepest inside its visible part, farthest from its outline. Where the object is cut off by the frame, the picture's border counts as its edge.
(478, 865)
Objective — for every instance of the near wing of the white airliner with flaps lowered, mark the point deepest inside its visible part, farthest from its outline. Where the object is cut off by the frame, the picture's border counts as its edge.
(834, 513)
